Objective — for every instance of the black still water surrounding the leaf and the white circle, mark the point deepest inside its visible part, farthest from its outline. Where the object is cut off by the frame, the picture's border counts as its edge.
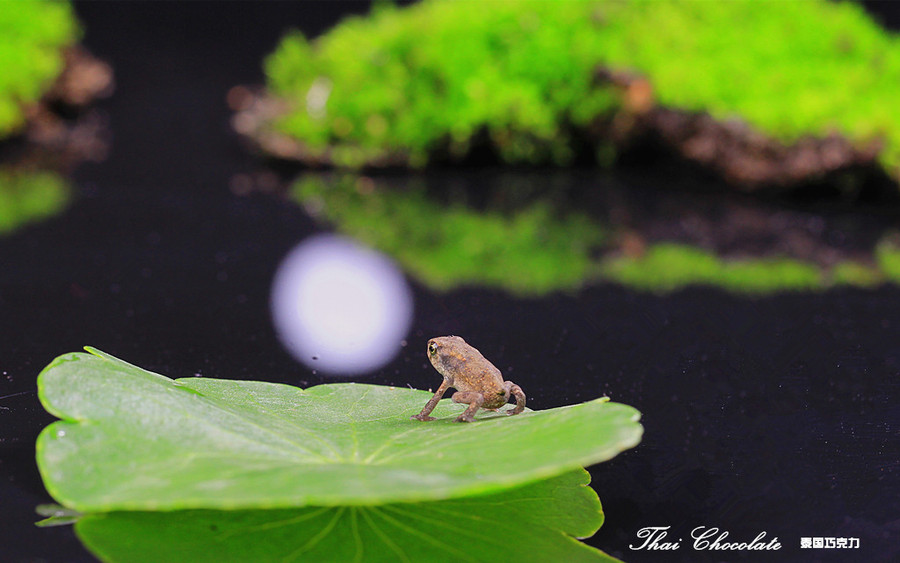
(776, 414)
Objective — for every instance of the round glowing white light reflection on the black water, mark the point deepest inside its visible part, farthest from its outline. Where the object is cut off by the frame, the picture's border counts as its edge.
(339, 307)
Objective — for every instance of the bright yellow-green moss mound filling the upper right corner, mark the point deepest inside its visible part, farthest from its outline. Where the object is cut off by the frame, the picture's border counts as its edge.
(788, 69)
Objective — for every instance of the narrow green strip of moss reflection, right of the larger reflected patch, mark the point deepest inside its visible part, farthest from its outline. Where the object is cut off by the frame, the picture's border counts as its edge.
(667, 267)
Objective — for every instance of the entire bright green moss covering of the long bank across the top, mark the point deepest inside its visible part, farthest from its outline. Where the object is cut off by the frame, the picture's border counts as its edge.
(414, 82)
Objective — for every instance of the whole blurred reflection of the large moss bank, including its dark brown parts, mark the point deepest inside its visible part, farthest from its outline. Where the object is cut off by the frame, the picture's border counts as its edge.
(533, 233)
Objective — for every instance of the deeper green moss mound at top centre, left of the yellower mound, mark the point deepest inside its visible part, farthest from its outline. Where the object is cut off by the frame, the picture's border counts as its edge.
(430, 77)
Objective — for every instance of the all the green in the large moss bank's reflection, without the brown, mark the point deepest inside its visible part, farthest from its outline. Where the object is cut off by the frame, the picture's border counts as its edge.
(542, 245)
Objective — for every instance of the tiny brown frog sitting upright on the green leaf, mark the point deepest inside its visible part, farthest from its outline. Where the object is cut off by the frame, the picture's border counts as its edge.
(478, 383)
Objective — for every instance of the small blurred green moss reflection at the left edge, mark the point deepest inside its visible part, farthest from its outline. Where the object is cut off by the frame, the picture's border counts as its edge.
(29, 196)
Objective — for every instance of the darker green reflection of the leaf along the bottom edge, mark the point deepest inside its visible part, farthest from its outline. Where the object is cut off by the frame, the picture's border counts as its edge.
(536, 522)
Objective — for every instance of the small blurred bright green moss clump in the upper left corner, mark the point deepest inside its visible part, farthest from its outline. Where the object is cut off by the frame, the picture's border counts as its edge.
(32, 36)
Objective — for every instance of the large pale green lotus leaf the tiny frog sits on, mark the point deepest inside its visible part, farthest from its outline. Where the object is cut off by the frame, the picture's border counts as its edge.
(134, 440)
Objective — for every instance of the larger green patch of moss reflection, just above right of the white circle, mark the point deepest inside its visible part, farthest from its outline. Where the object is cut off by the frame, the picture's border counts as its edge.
(530, 251)
